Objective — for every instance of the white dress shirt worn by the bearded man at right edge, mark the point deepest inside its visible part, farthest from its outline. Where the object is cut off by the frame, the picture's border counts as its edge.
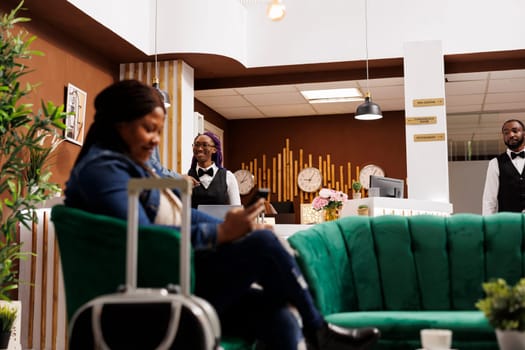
(490, 193)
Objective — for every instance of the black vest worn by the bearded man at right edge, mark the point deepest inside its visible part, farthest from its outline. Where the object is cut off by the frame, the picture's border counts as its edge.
(511, 193)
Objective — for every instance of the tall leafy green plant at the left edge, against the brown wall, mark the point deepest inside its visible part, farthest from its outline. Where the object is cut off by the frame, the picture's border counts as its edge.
(24, 146)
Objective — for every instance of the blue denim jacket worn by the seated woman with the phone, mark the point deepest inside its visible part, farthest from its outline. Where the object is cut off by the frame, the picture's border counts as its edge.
(98, 184)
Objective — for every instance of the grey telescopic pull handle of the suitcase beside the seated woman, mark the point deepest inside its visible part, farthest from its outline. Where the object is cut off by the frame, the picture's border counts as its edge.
(135, 186)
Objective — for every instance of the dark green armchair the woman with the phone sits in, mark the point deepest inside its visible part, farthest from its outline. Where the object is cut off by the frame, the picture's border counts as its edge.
(93, 258)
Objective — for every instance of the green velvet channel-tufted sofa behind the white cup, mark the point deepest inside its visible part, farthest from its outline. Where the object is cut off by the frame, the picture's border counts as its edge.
(403, 274)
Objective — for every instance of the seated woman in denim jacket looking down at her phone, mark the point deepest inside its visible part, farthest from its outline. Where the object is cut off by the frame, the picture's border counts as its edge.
(230, 255)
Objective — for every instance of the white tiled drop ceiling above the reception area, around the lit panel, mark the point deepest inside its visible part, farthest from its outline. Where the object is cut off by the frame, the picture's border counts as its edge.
(477, 104)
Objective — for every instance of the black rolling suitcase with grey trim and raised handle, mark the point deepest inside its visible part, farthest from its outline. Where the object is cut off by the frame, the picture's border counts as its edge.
(139, 318)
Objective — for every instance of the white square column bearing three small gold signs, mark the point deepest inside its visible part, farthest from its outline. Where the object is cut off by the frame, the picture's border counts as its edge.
(426, 125)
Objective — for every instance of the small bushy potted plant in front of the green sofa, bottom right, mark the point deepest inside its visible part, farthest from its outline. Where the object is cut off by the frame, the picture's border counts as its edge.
(504, 307)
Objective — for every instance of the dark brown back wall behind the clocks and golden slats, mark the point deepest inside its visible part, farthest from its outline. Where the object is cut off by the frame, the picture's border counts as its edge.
(380, 142)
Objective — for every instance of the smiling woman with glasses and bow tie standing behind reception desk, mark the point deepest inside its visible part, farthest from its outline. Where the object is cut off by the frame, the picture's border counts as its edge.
(216, 185)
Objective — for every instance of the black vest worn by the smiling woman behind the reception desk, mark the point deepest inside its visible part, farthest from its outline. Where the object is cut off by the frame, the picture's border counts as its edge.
(216, 193)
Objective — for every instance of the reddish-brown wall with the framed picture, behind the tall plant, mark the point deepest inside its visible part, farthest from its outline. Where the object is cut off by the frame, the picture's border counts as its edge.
(64, 62)
